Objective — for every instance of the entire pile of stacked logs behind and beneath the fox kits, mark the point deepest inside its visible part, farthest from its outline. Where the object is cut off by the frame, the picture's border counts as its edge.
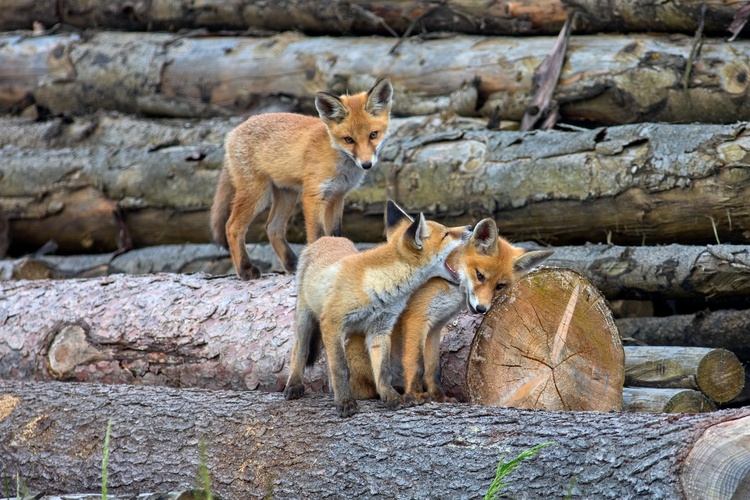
(113, 117)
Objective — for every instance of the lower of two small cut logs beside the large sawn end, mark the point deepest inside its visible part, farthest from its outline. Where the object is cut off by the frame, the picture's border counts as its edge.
(652, 400)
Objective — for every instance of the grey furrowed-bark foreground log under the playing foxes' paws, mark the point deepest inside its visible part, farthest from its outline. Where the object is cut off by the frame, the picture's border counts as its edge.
(258, 444)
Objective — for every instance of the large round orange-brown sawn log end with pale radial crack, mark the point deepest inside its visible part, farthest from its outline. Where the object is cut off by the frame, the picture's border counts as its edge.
(552, 344)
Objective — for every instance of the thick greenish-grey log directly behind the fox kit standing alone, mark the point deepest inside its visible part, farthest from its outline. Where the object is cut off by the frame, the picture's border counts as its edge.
(626, 185)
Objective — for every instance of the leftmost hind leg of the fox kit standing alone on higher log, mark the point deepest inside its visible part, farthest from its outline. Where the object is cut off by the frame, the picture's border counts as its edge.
(247, 204)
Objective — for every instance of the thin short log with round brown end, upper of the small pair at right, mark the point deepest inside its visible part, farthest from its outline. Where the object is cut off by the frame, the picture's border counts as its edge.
(716, 372)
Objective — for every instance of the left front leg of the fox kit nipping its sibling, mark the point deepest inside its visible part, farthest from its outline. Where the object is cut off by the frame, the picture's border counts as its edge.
(333, 341)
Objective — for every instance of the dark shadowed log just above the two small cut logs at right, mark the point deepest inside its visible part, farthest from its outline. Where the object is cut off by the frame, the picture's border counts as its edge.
(726, 329)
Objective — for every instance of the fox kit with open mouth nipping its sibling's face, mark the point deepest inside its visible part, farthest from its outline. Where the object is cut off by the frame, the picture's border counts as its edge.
(343, 291)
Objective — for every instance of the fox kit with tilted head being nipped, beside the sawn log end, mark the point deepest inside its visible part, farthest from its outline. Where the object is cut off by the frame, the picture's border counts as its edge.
(486, 266)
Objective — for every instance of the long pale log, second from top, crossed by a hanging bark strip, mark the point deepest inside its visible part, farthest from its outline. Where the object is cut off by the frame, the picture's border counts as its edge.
(609, 79)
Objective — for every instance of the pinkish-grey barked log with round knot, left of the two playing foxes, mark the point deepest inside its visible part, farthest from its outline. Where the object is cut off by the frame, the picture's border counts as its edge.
(172, 330)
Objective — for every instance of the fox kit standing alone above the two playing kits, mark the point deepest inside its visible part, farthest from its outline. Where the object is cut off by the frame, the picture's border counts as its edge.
(271, 158)
